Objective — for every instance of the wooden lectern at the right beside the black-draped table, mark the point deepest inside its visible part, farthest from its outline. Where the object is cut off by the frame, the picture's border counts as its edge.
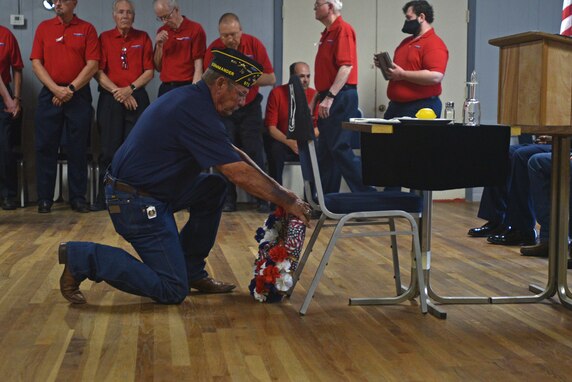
(535, 82)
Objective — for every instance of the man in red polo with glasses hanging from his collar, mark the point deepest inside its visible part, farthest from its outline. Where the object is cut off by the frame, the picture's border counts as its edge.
(125, 68)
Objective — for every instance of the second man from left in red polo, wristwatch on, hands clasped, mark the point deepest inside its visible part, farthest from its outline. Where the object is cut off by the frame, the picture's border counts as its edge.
(65, 56)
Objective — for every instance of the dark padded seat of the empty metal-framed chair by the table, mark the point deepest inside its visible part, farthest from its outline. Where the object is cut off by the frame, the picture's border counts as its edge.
(348, 202)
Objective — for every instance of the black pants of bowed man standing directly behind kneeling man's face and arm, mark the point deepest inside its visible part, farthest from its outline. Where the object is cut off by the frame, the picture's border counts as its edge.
(244, 127)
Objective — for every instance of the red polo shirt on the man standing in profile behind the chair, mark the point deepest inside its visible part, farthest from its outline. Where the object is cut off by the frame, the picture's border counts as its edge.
(337, 48)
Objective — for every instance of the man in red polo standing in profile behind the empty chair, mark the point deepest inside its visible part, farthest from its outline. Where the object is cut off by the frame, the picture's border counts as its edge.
(336, 81)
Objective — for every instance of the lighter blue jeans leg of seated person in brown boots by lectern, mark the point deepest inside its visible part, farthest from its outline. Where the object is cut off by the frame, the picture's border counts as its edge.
(539, 170)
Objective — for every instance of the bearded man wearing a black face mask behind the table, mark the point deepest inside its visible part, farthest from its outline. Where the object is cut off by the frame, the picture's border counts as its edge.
(419, 65)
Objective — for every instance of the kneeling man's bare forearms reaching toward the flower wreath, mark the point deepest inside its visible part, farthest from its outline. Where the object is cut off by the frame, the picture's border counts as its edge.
(248, 176)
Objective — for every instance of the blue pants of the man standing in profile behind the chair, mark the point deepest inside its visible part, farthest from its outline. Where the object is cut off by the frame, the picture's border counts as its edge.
(334, 150)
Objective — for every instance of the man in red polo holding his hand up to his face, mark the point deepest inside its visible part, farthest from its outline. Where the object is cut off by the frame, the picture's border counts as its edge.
(179, 47)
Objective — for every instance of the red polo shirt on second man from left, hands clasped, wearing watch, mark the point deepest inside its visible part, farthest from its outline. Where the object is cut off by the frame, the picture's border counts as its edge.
(65, 49)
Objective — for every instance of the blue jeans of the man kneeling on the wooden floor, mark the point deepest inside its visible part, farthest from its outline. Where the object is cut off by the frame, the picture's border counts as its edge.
(170, 260)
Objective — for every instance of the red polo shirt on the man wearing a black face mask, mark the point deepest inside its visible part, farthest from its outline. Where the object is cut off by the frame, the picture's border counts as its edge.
(428, 52)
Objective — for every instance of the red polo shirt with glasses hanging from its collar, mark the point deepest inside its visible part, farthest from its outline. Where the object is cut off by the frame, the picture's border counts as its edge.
(139, 55)
